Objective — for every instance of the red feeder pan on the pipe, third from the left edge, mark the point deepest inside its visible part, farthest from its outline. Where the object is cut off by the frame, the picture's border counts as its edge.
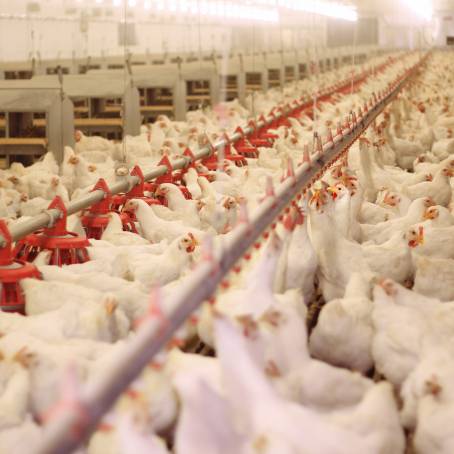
(96, 218)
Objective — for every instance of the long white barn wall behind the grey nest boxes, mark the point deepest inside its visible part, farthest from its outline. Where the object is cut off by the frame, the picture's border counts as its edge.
(54, 33)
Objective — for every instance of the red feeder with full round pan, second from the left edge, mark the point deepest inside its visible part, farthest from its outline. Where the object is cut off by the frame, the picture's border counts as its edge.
(67, 247)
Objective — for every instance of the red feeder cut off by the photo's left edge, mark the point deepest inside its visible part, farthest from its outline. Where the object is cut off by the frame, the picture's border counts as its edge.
(11, 273)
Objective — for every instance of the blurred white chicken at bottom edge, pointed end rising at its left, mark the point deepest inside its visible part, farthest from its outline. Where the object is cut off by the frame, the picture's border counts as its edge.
(265, 416)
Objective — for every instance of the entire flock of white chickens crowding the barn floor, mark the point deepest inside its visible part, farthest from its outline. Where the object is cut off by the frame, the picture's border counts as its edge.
(334, 337)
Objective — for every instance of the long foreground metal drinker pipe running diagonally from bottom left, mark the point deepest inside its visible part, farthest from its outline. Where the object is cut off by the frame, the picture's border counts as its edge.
(72, 427)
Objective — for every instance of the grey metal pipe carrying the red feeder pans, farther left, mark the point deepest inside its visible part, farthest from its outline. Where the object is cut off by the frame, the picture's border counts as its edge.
(48, 217)
